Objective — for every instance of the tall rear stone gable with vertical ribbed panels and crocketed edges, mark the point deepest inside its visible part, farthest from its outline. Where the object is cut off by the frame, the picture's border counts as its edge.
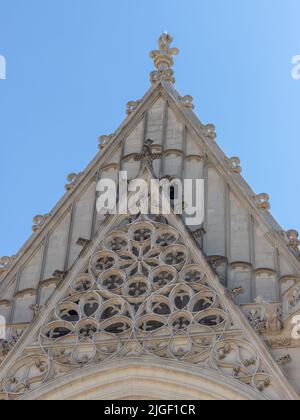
(248, 250)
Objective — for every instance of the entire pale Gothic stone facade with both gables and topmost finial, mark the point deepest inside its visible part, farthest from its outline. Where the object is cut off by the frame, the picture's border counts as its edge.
(119, 307)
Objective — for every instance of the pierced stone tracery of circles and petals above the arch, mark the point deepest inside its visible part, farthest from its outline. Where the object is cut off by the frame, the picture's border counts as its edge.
(142, 294)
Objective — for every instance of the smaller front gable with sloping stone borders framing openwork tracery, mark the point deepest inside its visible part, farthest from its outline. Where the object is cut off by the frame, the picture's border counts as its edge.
(142, 287)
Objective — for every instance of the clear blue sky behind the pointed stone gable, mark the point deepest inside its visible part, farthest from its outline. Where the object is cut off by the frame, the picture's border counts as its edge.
(72, 65)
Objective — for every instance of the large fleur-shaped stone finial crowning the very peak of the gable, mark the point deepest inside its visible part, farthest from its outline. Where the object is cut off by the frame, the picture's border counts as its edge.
(163, 60)
